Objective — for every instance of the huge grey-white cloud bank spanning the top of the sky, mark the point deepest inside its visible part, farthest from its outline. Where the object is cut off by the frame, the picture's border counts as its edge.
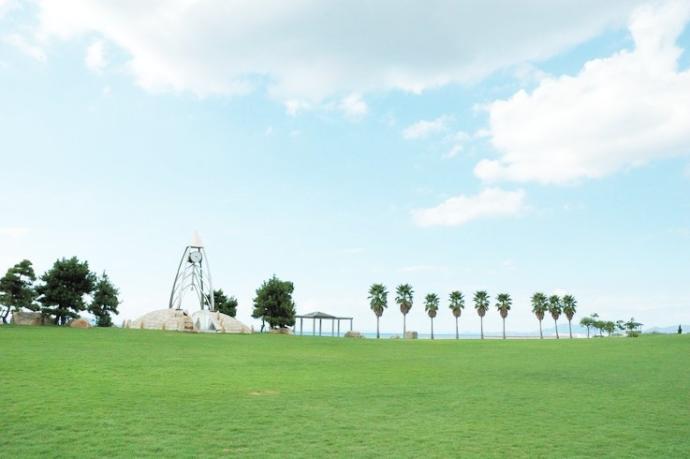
(311, 50)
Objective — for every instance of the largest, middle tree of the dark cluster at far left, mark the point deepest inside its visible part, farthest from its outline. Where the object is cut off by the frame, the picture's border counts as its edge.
(63, 287)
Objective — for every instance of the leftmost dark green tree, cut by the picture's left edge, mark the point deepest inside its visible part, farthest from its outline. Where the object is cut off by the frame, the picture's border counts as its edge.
(17, 290)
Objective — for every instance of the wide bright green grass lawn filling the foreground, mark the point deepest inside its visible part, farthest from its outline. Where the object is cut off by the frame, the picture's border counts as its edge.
(112, 392)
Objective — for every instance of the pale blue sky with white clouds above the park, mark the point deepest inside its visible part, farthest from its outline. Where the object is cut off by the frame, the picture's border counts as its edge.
(542, 146)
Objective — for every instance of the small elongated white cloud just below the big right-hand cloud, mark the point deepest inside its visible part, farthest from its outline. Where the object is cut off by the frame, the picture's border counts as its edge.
(490, 203)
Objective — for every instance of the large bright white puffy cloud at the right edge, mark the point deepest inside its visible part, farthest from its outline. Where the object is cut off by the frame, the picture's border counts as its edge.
(619, 112)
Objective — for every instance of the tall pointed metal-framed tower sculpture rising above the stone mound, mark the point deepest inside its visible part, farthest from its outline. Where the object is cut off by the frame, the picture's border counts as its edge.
(193, 275)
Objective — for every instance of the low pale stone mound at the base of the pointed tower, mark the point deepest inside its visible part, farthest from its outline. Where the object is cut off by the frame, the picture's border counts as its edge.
(178, 320)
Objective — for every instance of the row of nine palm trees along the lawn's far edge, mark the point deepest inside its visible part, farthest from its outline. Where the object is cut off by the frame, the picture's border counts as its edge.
(404, 296)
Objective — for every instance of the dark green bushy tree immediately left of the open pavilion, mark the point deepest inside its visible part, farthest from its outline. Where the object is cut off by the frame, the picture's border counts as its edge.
(273, 303)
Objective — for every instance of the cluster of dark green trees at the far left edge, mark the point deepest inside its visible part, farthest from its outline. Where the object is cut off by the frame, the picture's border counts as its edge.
(59, 294)
